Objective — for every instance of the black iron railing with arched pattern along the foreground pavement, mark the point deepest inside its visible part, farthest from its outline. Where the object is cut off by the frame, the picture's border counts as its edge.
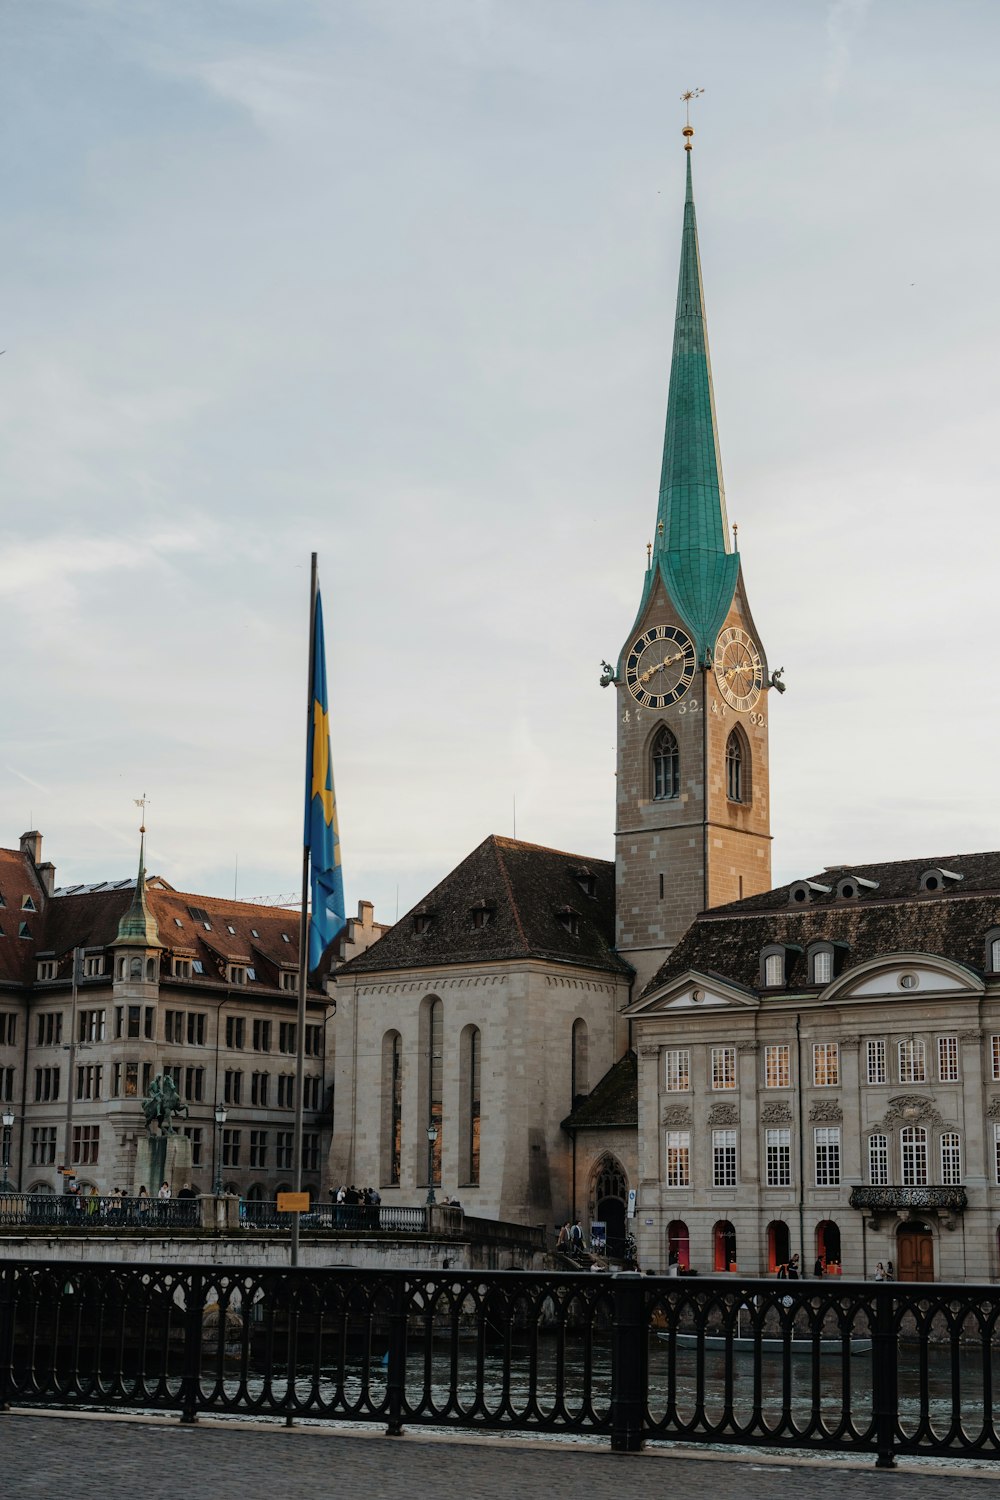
(854, 1367)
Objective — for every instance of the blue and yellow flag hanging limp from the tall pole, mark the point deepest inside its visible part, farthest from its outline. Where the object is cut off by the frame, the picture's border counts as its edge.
(323, 839)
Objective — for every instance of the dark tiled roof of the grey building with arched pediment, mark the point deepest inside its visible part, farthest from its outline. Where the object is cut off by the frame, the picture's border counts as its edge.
(897, 917)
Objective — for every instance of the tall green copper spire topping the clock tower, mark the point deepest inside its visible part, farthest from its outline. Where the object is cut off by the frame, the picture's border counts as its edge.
(692, 545)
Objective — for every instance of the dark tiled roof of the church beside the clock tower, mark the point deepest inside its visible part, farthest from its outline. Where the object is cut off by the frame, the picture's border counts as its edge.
(525, 890)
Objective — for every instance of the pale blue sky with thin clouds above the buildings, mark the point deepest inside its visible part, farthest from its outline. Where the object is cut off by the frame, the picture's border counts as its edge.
(394, 281)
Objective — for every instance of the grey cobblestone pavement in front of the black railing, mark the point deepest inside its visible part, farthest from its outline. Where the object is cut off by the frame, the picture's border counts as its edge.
(79, 1459)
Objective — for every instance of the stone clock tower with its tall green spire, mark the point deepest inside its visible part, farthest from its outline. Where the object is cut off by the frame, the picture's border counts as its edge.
(693, 826)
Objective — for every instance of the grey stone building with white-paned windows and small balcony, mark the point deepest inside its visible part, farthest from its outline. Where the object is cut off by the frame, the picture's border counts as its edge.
(860, 1099)
